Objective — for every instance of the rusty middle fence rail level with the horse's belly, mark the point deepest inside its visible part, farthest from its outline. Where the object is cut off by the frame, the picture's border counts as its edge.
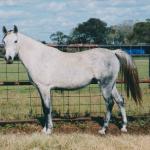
(8, 83)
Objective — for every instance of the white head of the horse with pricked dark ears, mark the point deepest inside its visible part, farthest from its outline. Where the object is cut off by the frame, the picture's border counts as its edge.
(10, 41)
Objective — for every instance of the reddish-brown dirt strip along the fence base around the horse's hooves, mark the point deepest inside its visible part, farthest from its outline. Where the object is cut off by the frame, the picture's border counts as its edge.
(136, 126)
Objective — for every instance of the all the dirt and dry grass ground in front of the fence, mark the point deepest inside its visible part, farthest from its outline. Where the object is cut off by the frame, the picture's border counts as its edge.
(76, 136)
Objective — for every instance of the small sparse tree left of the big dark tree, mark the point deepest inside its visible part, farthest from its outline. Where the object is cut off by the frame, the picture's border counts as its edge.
(59, 38)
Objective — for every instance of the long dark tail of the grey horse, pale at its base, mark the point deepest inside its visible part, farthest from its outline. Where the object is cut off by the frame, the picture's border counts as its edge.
(130, 75)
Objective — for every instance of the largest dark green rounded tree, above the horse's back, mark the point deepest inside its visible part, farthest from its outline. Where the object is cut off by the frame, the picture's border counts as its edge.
(91, 31)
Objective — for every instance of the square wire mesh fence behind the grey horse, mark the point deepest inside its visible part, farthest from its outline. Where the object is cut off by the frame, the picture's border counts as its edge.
(20, 100)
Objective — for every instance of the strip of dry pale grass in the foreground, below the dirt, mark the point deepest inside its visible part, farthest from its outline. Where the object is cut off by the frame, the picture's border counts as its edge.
(75, 141)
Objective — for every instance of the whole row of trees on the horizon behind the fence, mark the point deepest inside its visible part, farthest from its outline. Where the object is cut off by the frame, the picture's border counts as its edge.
(96, 31)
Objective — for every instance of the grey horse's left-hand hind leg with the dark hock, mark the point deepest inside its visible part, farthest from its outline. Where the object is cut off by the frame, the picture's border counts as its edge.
(106, 91)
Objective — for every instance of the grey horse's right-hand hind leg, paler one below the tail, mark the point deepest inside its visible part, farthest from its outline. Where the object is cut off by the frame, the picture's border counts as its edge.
(120, 101)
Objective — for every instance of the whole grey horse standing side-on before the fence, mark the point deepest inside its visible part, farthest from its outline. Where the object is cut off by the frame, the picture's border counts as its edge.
(50, 68)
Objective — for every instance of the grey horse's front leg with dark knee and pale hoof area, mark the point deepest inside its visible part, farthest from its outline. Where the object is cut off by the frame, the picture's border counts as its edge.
(47, 109)
